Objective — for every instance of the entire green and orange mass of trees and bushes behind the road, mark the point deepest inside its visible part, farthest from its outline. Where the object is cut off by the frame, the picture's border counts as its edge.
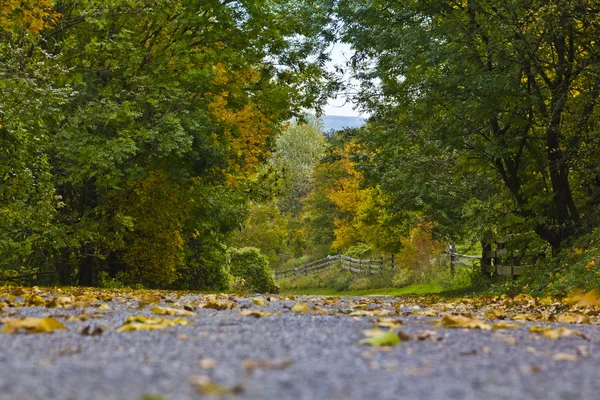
(165, 145)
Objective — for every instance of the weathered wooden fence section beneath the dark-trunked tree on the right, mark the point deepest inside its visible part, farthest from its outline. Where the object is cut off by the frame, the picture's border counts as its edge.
(498, 262)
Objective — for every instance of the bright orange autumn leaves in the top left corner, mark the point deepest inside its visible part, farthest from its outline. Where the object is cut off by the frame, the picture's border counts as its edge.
(33, 15)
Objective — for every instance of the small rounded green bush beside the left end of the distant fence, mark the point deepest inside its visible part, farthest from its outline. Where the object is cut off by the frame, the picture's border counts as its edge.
(249, 264)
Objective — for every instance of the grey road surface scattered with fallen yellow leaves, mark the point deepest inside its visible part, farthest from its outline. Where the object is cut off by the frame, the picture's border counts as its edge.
(292, 355)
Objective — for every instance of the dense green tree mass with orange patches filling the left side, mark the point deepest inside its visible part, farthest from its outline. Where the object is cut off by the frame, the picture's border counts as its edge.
(136, 119)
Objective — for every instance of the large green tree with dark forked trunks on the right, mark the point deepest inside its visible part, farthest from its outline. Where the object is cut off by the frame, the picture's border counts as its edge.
(505, 91)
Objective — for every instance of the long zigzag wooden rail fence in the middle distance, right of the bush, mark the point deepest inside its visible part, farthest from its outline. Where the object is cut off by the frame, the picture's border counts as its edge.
(370, 266)
